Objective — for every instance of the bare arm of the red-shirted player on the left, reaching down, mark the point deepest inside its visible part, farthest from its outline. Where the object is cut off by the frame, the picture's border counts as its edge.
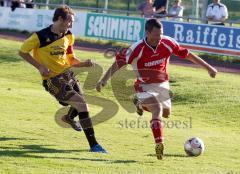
(112, 69)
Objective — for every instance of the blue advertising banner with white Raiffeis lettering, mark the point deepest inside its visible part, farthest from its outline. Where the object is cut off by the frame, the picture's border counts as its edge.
(222, 40)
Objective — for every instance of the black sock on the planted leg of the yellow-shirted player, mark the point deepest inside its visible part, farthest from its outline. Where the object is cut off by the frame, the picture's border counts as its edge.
(87, 126)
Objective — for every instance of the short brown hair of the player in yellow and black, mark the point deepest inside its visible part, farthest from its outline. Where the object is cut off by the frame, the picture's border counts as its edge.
(62, 11)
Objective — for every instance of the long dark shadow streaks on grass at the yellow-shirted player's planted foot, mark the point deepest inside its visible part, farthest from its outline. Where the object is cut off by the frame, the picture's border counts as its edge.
(29, 151)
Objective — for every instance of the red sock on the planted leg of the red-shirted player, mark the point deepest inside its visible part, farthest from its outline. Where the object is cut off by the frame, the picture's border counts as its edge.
(157, 129)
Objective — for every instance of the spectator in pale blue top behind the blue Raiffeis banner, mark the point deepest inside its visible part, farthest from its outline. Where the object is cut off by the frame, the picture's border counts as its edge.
(176, 10)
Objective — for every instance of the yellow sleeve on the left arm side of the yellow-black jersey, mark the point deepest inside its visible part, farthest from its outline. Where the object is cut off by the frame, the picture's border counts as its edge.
(31, 43)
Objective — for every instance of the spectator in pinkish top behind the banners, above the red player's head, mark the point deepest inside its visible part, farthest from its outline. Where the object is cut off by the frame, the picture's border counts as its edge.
(146, 8)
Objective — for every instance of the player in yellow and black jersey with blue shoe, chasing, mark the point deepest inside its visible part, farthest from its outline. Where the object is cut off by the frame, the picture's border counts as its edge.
(52, 55)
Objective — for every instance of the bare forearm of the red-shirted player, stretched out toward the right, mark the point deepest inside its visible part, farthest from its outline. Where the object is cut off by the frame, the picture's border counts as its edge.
(197, 60)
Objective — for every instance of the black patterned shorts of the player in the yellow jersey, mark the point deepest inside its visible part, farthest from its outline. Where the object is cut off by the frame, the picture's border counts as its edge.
(63, 86)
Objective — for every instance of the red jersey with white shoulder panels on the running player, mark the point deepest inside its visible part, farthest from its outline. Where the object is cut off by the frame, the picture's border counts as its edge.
(151, 65)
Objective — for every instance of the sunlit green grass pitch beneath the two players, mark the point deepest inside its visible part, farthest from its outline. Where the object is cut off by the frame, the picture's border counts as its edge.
(32, 142)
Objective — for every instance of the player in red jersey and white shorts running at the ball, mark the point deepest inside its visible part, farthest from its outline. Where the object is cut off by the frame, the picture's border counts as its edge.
(149, 58)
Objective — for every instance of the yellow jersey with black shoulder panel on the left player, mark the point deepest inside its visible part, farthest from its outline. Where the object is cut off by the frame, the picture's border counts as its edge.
(51, 50)
